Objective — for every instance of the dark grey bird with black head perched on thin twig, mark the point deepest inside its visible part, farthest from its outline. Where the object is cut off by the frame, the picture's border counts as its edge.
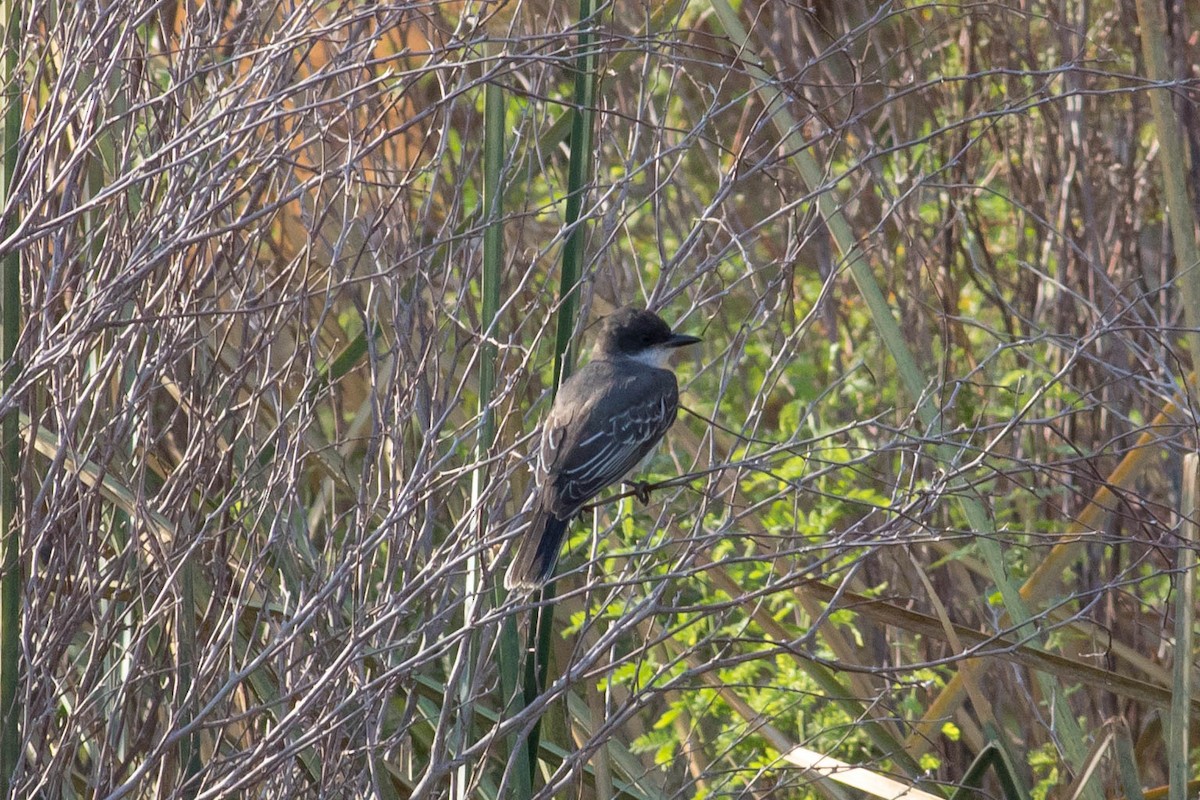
(605, 420)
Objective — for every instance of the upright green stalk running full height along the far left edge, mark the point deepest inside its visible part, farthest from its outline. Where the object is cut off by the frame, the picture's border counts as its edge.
(10, 450)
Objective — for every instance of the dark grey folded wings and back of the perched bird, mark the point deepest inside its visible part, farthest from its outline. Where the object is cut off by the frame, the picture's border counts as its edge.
(590, 443)
